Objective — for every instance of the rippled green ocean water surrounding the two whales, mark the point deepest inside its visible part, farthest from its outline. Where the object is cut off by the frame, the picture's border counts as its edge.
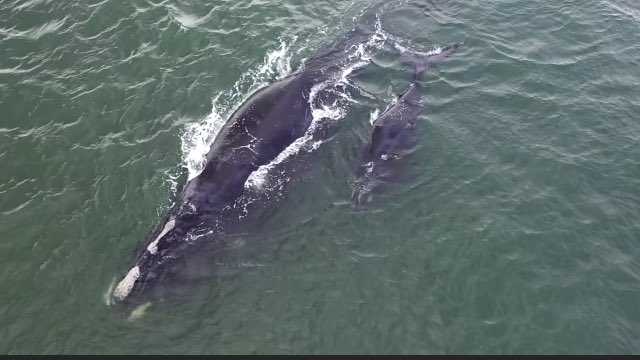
(515, 230)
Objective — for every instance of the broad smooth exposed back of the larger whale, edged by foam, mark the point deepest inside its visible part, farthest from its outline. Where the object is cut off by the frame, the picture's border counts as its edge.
(261, 128)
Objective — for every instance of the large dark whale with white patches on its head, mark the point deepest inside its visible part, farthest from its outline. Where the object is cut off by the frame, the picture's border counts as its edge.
(255, 134)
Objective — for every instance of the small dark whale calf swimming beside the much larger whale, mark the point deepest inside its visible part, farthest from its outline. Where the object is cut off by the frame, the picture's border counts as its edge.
(393, 136)
